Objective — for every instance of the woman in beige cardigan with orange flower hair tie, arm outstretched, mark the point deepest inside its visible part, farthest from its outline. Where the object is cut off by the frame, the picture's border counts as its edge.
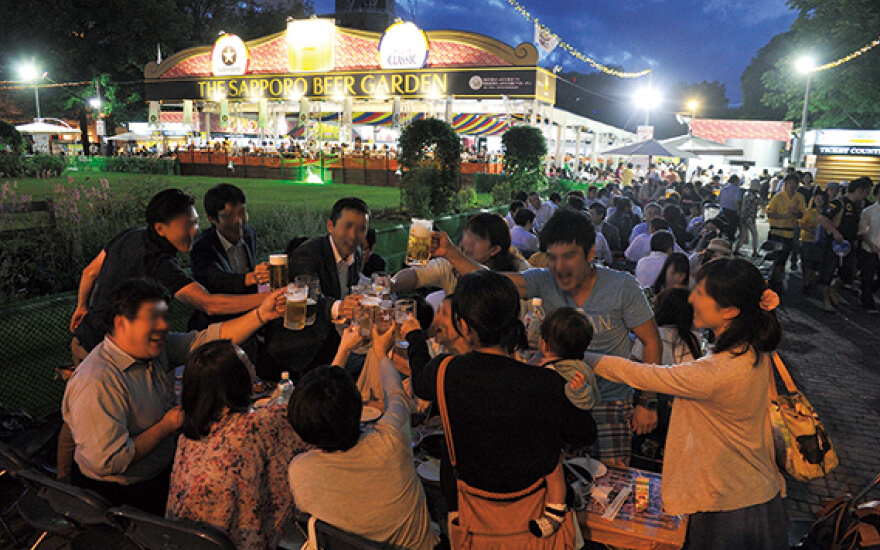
(719, 463)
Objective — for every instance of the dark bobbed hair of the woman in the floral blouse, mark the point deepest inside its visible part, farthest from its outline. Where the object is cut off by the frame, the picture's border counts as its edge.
(215, 378)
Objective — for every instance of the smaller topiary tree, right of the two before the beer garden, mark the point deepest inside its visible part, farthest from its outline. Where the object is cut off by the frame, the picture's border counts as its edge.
(524, 152)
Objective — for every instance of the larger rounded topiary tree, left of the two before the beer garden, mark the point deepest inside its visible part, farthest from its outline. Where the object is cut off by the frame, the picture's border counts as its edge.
(430, 155)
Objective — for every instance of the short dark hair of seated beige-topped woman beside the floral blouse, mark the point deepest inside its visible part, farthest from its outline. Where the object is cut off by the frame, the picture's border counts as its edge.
(325, 409)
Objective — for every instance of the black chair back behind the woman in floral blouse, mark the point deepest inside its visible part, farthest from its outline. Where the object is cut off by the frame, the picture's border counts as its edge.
(151, 532)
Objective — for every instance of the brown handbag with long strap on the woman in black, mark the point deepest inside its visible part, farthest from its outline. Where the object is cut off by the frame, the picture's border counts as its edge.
(498, 521)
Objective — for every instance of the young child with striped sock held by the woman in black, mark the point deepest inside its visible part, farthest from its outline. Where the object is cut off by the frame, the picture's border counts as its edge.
(565, 336)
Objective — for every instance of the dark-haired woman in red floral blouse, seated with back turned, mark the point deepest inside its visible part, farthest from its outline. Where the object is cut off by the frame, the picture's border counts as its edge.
(230, 469)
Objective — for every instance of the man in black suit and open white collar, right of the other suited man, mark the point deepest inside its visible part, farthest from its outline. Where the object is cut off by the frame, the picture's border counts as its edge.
(336, 260)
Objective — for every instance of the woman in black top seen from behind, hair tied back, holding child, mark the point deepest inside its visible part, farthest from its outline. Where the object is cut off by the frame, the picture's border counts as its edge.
(508, 420)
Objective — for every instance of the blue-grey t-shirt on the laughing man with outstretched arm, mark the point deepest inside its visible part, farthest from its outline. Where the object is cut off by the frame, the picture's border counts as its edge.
(614, 307)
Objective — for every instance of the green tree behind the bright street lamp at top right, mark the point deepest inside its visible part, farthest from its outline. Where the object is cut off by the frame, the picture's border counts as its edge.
(847, 95)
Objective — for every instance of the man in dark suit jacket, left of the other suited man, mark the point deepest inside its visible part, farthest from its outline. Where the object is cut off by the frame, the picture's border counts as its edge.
(224, 256)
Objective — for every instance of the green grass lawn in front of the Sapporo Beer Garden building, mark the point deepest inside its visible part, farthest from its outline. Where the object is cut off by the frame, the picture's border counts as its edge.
(262, 194)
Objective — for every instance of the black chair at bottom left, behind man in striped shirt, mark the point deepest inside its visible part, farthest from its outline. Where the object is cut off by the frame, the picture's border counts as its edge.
(70, 512)
